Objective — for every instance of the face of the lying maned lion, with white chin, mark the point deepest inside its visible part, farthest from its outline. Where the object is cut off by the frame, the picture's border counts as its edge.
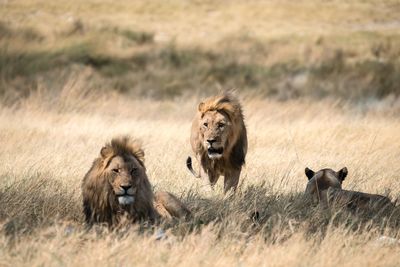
(124, 174)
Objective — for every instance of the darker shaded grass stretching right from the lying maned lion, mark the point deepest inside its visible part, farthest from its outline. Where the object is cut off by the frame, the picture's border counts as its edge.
(255, 210)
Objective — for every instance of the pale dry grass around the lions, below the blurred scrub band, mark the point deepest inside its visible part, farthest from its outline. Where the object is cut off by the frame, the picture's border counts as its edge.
(47, 150)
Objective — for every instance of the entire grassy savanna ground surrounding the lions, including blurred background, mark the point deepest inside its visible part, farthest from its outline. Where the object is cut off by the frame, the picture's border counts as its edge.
(319, 82)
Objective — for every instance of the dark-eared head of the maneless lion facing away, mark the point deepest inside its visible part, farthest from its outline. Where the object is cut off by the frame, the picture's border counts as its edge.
(319, 182)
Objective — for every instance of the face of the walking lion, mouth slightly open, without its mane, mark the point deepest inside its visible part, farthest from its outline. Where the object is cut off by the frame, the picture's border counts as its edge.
(214, 129)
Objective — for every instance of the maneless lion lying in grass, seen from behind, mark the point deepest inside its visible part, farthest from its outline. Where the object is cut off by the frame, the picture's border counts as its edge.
(325, 188)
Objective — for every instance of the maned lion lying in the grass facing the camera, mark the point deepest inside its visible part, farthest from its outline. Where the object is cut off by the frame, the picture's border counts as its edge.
(116, 187)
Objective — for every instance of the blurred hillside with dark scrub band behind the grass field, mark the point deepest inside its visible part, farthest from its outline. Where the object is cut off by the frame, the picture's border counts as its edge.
(163, 49)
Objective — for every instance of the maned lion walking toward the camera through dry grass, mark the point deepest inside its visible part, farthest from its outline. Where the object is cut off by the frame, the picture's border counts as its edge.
(219, 140)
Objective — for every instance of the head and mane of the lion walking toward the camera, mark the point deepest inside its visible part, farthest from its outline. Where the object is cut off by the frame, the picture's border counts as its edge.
(218, 125)
